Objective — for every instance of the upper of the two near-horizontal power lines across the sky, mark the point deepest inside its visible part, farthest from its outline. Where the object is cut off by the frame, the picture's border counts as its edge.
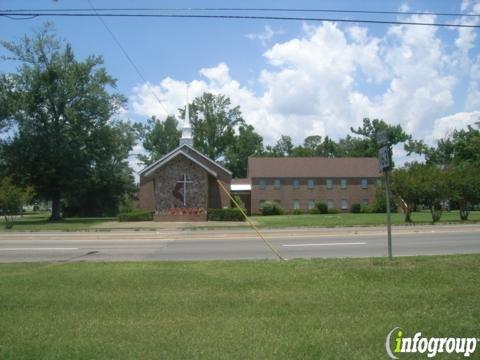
(256, 9)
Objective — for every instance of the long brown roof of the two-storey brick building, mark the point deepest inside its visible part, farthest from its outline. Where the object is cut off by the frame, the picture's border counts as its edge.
(312, 167)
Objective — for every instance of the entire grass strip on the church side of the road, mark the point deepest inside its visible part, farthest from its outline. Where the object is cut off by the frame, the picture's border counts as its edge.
(39, 222)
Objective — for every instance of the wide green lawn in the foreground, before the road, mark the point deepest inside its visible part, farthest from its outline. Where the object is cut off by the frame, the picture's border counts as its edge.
(300, 309)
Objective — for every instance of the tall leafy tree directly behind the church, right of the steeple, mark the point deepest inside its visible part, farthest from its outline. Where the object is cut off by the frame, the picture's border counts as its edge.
(213, 124)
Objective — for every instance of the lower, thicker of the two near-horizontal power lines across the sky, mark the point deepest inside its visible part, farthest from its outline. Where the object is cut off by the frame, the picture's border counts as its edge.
(247, 17)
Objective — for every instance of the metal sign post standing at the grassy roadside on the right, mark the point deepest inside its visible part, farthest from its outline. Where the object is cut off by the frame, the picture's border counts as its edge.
(384, 164)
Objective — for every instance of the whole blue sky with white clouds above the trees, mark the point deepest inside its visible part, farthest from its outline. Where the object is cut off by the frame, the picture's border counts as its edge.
(289, 77)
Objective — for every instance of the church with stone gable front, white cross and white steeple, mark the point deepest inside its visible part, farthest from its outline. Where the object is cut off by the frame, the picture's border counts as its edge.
(183, 184)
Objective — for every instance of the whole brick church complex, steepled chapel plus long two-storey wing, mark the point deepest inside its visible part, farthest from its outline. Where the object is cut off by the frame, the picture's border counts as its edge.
(187, 179)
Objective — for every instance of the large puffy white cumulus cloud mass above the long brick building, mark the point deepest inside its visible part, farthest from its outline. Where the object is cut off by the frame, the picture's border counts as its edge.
(316, 83)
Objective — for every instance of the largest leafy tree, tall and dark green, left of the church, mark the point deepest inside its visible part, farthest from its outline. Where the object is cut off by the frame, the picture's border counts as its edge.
(61, 108)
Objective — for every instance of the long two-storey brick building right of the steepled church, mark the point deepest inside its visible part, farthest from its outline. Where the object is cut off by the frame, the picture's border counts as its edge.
(298, 183)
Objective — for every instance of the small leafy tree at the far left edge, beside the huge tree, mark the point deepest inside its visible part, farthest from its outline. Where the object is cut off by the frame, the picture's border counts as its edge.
(12, 198)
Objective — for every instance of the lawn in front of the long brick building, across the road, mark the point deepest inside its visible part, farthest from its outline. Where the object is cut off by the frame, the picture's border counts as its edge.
(348, 219)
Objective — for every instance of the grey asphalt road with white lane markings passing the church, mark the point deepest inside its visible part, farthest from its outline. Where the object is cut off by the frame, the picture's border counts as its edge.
(236, 244)
